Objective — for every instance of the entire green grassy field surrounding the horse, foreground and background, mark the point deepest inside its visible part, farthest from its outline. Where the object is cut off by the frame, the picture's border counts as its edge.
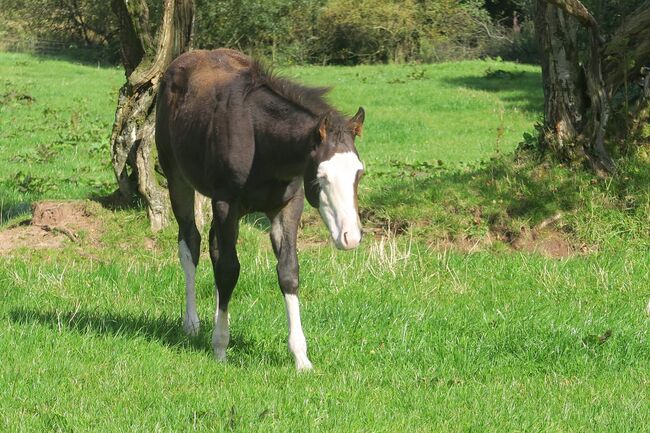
(442, 324)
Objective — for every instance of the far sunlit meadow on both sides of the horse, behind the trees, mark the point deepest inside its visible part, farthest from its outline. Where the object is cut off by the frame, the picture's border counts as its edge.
(56, 118)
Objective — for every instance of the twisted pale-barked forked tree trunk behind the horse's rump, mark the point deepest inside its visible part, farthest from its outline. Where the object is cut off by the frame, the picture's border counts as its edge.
(132, 140)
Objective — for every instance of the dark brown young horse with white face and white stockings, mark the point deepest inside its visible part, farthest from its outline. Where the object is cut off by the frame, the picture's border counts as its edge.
(229, 128)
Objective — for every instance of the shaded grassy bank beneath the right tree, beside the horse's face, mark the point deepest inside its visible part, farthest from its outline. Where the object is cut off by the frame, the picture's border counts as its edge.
(505, 194)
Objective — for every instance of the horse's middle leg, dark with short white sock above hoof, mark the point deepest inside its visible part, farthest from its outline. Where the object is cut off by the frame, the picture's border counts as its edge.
(225, 264)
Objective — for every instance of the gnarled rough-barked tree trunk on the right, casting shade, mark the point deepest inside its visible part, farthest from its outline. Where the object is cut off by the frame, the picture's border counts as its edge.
(577, 105)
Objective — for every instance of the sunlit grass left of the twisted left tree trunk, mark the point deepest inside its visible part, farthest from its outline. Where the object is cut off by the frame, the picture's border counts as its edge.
(55, 125)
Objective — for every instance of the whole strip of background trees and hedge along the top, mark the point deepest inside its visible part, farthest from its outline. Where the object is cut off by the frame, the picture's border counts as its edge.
(306, 31)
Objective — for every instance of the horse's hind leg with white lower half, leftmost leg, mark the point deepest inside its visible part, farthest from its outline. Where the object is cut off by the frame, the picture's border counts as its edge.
(189, 247)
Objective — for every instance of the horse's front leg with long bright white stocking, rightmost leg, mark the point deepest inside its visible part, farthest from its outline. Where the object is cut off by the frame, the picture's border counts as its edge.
(284, 229)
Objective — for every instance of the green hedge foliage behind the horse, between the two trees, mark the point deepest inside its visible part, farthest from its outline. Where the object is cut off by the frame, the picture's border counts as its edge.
(348, 32)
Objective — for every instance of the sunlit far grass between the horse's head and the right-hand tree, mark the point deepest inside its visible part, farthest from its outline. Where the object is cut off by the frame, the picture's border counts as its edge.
(448, 112)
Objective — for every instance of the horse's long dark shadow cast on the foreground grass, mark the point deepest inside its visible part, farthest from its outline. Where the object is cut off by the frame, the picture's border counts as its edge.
(157, 329)
